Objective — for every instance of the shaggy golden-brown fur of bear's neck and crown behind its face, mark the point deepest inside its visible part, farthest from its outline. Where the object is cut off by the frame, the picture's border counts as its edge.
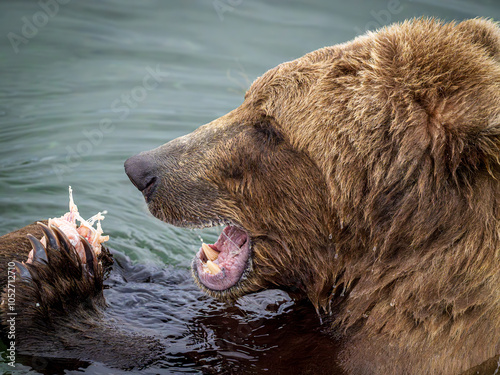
(404, 123)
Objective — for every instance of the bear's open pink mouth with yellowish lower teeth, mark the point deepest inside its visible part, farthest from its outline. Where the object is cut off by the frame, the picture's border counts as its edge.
(225, 263)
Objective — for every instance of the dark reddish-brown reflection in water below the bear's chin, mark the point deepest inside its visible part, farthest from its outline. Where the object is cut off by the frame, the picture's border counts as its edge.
(291, 342)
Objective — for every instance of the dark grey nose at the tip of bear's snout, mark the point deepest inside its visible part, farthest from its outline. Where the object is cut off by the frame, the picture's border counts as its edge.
(141, 170)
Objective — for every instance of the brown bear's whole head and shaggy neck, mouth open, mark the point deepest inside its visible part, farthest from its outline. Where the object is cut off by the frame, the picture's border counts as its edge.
(365, 176)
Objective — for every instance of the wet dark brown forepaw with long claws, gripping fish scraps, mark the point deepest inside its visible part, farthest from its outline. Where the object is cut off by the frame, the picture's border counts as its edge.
(60, 309)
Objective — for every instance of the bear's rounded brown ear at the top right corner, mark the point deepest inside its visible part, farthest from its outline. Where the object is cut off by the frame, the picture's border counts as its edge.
(483, 33)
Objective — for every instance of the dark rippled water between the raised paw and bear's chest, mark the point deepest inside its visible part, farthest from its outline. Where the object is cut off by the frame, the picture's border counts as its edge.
(262, 333)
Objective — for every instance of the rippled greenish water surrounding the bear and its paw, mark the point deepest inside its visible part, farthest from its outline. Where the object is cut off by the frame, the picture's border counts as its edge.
(86, 84)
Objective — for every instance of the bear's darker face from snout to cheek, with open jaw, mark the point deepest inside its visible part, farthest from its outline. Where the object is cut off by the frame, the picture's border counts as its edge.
(241, 171)
